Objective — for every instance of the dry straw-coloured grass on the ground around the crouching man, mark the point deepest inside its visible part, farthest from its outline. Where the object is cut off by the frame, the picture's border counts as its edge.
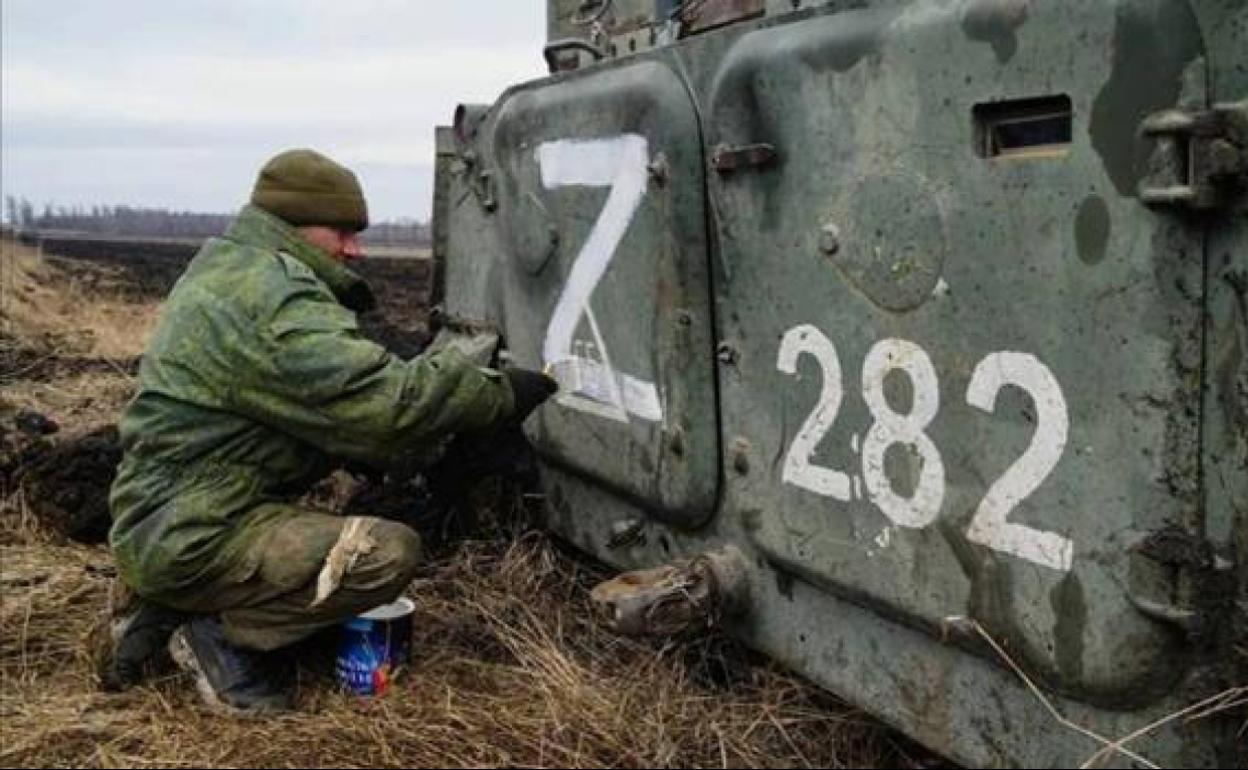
(509, 666)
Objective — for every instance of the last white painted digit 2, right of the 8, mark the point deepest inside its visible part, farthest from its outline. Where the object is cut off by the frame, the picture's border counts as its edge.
(990, 526)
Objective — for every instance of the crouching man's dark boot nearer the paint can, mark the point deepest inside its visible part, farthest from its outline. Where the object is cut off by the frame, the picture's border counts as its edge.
(229, 677)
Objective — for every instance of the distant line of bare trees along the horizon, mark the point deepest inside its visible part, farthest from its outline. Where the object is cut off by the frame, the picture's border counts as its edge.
(165, 224)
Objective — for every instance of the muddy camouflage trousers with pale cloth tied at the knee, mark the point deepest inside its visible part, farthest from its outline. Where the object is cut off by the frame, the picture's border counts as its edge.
(308, 571)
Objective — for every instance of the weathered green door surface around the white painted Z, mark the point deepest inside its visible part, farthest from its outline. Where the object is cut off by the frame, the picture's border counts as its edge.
(658, 286)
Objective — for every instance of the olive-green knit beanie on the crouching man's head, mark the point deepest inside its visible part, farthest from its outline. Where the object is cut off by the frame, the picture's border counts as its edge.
(305, 188)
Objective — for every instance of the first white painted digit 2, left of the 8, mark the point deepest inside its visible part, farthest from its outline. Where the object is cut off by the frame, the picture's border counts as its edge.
(798, 469)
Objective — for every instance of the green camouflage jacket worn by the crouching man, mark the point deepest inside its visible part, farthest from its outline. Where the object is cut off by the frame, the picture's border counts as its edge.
(256, 384)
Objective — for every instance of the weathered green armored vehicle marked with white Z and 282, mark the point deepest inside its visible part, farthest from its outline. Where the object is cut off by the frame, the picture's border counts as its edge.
(918, 329)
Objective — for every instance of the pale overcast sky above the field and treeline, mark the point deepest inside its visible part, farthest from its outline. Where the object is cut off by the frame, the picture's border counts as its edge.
(177, 104)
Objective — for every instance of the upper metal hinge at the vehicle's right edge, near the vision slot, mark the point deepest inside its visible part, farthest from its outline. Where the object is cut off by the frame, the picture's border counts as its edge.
(1199, 157)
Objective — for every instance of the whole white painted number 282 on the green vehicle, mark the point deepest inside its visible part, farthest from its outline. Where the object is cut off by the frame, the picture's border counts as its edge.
(989, 526)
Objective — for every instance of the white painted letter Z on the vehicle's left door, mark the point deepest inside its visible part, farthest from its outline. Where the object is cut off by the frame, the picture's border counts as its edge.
(587, 378)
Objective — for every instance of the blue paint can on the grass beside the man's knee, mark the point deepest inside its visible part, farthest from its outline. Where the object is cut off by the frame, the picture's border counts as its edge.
(375, 646)
